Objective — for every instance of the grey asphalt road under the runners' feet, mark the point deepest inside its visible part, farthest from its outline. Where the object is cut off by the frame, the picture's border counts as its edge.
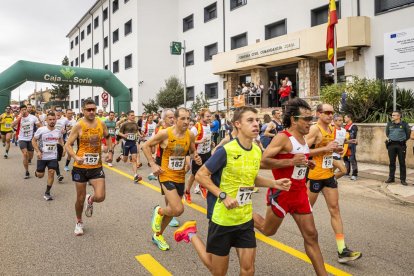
(36, 237)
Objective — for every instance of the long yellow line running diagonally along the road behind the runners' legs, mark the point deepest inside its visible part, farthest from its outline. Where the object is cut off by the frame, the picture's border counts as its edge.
(283, 247)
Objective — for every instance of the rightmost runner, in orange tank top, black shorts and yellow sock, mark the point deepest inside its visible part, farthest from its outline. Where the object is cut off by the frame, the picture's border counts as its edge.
(322, 177)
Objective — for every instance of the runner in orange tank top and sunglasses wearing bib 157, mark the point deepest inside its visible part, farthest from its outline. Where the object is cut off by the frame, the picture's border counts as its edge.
(87, 167)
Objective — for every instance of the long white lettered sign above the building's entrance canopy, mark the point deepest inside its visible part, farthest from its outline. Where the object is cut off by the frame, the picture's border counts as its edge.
(269, 50)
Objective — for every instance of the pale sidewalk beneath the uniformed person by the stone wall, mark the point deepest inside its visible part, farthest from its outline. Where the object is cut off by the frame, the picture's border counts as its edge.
(404, 194)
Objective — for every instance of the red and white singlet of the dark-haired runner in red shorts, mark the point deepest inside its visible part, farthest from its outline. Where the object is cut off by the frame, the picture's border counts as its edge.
(297, 174)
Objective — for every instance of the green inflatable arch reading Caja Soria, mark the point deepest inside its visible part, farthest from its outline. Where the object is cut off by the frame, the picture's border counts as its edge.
(23, 71)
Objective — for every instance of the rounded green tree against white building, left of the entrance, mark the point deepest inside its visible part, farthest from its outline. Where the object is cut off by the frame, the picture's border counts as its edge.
(172, 95)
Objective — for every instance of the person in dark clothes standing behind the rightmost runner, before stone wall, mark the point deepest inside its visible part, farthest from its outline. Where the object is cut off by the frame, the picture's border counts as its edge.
(350, 157)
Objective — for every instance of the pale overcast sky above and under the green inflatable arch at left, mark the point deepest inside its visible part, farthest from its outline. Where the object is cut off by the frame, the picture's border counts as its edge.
(36, 31)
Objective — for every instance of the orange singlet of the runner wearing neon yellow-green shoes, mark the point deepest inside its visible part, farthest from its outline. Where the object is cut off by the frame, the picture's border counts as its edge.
(173, 157)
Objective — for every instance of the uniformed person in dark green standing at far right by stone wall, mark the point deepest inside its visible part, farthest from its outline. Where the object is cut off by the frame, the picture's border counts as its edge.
(398, 132)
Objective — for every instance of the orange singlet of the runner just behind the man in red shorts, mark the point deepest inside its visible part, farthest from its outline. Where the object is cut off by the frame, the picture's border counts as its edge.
(323, 162)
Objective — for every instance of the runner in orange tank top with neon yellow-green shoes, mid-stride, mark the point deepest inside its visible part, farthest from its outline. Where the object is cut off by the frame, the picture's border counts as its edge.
(175, 142)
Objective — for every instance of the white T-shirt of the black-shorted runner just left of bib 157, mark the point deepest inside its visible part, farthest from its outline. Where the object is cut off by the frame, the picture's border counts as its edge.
(48, 140)
